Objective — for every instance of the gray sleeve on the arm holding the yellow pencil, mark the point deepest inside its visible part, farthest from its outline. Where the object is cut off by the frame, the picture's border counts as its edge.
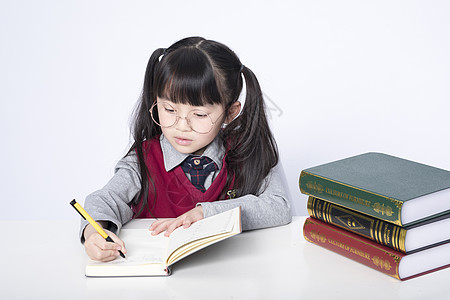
(112, 202)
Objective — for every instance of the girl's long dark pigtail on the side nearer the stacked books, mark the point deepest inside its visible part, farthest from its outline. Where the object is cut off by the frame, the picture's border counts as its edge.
(252, 150)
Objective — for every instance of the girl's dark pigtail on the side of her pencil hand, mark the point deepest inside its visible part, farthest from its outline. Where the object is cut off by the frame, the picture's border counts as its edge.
(143, 128)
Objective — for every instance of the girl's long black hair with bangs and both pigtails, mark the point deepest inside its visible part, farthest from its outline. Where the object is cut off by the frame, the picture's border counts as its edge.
(197, 71)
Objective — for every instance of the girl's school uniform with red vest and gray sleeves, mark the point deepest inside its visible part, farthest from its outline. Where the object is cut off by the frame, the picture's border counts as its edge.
(113, 203)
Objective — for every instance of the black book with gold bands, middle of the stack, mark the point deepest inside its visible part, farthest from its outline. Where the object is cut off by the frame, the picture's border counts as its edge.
(408, 240)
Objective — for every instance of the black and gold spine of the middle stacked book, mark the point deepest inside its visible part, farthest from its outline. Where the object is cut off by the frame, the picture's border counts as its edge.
(382, 232)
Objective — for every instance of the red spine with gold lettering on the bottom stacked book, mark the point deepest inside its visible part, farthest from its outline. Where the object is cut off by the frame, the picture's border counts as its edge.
(353, 246)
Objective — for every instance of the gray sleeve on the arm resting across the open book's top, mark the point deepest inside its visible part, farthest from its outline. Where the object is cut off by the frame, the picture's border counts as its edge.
(271, 208)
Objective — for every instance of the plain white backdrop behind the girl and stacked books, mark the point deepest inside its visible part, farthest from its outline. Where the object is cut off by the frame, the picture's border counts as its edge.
(341, 78)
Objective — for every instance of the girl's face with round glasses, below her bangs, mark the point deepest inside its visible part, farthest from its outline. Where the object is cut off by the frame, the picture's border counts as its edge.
(181, 135)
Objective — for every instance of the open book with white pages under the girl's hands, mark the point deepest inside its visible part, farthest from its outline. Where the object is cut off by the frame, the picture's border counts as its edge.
(155, 255)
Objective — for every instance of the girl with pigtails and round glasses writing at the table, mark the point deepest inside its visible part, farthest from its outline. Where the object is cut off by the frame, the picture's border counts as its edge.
(196, 153)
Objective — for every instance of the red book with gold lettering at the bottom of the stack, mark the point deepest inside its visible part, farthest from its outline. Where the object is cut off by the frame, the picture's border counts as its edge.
(379, 257)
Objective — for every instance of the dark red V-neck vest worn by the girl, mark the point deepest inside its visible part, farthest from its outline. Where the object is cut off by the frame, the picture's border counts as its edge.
(175, 194)
